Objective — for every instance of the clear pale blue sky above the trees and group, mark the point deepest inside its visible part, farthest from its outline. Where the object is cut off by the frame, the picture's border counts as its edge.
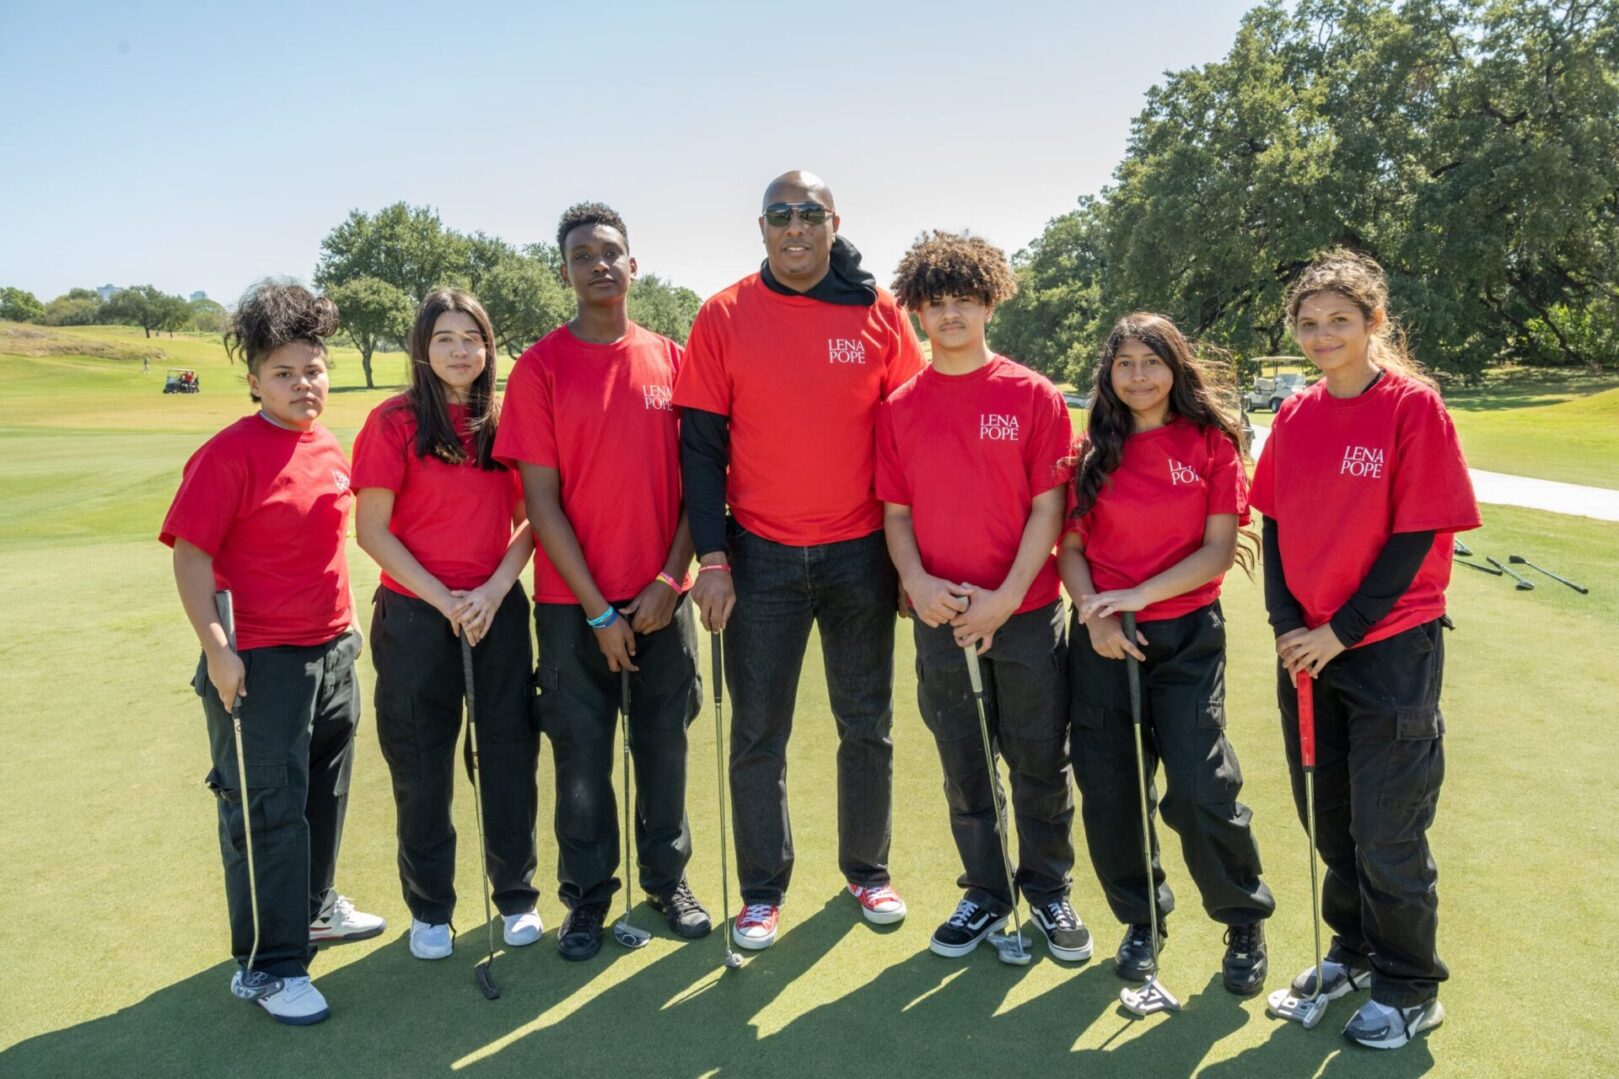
(210, 145)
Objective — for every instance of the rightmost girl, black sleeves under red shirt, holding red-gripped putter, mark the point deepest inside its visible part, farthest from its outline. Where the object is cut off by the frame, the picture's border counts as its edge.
(1362, 485)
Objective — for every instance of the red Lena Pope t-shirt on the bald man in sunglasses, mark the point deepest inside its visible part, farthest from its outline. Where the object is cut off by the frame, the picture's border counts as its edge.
(801, 382)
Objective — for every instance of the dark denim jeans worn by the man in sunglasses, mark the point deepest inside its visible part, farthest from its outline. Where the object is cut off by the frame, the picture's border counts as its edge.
(849, 591)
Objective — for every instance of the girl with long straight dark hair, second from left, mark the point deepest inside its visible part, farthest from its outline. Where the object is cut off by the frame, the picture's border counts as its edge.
(446, 524)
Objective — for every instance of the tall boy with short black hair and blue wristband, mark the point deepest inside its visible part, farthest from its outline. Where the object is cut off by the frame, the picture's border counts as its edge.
(590, 427)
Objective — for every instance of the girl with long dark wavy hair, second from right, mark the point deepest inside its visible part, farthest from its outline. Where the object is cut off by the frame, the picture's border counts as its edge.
(1160, 508)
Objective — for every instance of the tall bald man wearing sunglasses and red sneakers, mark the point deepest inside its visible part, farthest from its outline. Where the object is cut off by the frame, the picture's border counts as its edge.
(781, 386)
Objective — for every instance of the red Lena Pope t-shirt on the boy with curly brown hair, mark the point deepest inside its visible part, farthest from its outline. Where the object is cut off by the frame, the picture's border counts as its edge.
(969, 454)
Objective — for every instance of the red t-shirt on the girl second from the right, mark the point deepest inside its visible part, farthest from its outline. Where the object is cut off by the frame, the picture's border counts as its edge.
(1154, 511)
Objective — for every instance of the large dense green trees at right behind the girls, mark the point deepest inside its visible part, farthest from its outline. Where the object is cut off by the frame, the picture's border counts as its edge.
(1471, 147)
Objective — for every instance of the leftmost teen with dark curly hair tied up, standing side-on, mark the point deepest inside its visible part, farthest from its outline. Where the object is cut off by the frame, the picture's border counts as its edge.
(261, 511)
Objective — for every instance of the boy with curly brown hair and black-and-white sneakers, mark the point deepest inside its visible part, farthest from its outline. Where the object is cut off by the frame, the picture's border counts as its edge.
(974, 456)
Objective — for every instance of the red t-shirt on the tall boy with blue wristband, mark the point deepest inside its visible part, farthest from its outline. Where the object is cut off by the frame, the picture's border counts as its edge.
(601, 416)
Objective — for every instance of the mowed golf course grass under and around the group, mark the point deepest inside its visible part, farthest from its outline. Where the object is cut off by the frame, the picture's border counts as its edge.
(113, 932)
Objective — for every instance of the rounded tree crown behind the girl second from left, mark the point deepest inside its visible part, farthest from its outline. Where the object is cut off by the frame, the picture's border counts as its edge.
(402, 245)
